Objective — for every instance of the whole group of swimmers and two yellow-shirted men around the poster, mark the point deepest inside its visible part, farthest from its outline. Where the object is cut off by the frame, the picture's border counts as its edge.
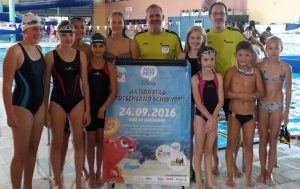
(225, 74)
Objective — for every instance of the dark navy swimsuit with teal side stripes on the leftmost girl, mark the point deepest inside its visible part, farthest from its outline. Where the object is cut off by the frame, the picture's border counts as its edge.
(29, 83)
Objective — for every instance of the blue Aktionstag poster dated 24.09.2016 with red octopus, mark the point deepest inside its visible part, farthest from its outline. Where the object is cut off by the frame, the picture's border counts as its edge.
(147, 130)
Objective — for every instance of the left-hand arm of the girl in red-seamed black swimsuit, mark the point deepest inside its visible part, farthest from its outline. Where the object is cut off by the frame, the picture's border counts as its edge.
(49, 59)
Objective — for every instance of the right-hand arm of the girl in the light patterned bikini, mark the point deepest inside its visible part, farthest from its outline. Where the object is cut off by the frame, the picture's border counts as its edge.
(288, 93)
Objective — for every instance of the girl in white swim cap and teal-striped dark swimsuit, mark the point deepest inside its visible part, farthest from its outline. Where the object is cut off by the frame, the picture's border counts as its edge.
(24, 63)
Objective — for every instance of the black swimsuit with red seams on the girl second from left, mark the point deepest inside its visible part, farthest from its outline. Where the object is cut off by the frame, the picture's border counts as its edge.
(66, 82)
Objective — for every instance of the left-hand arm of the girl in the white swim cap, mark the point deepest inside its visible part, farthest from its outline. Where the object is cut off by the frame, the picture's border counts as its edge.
(10, 65)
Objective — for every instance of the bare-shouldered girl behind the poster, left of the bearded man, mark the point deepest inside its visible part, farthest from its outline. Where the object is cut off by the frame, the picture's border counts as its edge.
(118, 45)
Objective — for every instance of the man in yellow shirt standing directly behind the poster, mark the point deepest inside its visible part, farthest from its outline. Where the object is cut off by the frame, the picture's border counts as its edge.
(157, 43)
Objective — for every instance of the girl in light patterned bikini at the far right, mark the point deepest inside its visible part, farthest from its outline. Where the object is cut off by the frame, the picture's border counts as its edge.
(272, 112)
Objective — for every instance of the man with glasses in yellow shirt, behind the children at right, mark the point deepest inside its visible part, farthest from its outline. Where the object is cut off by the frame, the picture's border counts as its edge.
(224, 40)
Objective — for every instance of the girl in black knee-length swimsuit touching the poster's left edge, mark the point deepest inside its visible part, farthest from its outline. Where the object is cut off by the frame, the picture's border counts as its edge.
(103, 89)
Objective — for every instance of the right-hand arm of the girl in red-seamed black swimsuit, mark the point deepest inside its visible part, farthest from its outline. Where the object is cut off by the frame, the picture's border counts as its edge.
(85, 88)
